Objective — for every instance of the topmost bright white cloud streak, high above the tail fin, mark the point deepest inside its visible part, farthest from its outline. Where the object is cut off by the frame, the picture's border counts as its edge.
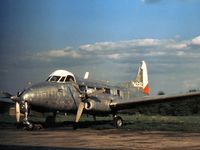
(136, 45)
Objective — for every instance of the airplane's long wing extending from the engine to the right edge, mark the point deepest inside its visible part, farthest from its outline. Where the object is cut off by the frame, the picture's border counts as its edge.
(139, 101)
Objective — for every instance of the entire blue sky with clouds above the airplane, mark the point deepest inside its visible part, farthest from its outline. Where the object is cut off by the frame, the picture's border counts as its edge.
(108, 38)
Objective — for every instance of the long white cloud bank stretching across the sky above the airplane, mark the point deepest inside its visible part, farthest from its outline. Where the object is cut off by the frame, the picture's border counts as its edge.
(125, 51)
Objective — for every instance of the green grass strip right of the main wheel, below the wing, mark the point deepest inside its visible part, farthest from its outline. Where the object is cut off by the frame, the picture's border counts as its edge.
(163, 123)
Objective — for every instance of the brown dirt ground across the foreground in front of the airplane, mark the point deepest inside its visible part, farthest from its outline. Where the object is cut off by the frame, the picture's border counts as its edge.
(66, 138)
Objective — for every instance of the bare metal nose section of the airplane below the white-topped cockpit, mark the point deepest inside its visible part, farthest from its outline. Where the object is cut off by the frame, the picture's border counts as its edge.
(53, 97)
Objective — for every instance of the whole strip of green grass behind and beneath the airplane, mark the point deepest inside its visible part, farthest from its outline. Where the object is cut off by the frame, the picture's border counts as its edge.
(131, 122)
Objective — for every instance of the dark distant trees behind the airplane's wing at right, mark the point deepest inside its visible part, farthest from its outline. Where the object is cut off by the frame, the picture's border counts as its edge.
(189, 106)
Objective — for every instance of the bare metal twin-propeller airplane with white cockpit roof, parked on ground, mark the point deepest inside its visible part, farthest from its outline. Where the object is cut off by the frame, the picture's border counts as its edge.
(65, 92)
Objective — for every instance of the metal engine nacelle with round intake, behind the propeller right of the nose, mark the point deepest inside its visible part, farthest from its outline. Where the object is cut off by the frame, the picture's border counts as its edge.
(95, 105)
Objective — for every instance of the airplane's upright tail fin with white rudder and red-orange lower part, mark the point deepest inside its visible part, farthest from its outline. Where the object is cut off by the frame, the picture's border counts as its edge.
(141, 80)
